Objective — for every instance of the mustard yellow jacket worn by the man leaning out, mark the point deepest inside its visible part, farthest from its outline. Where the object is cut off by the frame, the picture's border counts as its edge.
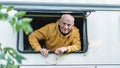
(54, 39)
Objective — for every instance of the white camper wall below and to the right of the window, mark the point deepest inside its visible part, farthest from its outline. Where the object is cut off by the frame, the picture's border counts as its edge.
(103, 51)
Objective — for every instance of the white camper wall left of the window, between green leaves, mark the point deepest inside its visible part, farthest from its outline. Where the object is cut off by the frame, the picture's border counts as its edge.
(8, 37)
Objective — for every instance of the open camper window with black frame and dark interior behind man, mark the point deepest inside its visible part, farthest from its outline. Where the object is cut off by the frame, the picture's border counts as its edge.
(42, 18)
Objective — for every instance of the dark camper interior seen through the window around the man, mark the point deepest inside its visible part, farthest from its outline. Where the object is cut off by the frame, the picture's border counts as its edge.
(41, 19)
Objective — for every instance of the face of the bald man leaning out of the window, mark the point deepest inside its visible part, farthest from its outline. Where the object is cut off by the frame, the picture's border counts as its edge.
(66, 25)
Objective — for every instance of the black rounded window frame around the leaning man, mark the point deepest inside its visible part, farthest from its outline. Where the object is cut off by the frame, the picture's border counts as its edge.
(85, 35)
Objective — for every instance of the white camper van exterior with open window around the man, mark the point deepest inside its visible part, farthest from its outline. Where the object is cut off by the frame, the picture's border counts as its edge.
(100, 34)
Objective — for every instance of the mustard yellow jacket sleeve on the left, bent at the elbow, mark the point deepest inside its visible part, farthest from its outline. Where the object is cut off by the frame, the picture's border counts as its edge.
(36, 36)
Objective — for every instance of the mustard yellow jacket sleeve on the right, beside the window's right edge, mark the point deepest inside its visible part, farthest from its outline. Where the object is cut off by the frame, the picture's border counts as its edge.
(76, 43)
